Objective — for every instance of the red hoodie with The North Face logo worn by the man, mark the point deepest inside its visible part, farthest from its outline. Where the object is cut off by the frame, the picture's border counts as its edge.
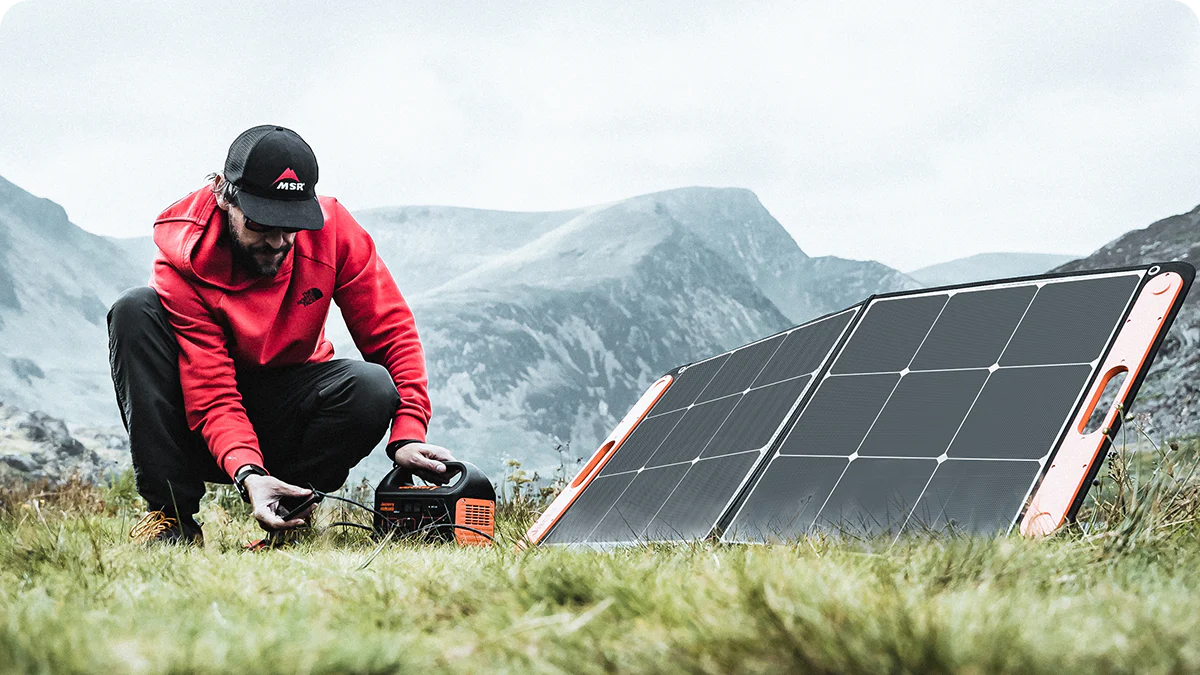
(226, 320)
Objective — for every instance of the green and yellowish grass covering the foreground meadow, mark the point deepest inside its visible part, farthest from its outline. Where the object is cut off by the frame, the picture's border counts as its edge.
(1115, 594)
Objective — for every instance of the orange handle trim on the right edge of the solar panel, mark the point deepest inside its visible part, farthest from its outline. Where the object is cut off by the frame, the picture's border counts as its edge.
(1073, 463)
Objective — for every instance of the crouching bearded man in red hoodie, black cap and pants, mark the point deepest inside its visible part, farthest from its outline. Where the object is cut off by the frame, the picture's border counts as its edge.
(221, 367)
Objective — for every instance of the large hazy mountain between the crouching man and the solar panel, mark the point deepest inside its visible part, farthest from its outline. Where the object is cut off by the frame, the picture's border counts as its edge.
(544, 328)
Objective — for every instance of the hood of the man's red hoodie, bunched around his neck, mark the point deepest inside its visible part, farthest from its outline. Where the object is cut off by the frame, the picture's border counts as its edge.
(191, 237)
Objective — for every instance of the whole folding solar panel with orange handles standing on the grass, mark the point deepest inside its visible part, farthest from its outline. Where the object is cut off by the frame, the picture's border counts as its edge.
(951, 409)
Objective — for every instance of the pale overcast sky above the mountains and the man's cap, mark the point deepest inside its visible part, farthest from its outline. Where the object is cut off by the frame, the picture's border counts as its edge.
(871, 130)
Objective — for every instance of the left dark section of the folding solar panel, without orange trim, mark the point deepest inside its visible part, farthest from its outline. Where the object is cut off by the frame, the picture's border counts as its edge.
(683, 464)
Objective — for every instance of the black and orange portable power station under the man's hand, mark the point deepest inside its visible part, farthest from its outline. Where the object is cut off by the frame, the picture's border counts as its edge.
(448, 512)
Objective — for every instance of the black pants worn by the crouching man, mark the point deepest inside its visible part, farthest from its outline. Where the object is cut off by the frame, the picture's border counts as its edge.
(315, 422)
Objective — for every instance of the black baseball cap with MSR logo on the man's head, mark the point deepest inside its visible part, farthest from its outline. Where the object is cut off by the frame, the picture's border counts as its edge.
(277, 172)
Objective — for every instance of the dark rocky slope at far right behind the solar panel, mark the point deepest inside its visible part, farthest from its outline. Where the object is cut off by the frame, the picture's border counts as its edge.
(1172, 391)
